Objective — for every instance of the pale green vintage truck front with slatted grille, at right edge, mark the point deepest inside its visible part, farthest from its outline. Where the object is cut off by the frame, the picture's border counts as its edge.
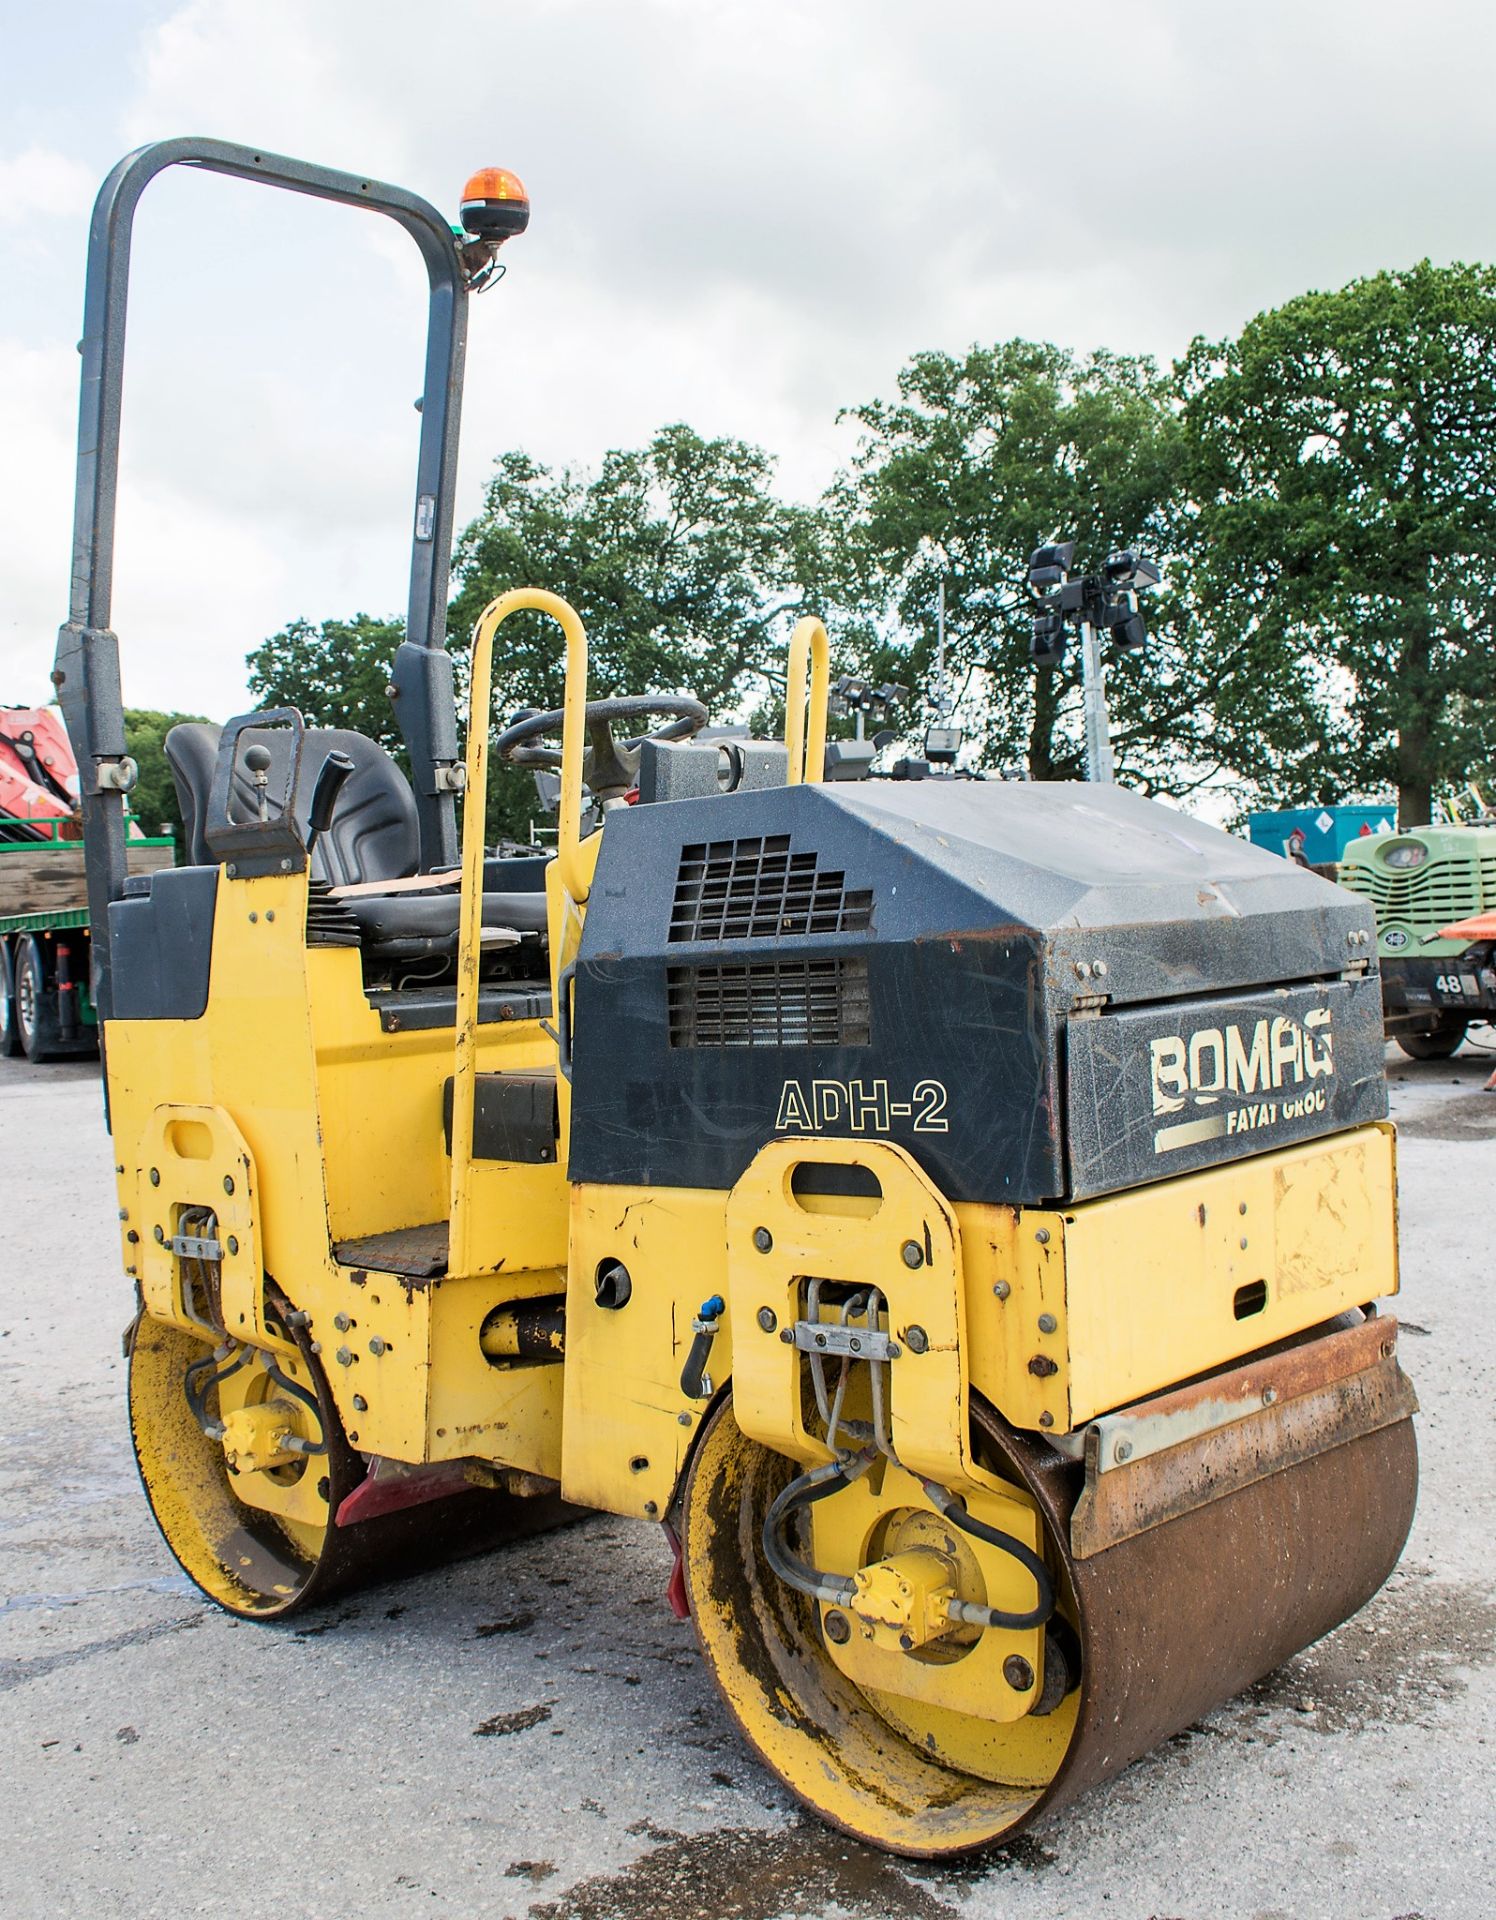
(1424, 882)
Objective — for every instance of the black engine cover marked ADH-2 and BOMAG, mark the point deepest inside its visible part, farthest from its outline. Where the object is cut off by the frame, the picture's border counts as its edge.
(1042, 992)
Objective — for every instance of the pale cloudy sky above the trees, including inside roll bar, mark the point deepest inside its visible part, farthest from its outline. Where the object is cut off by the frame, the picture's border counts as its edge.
(746, 216)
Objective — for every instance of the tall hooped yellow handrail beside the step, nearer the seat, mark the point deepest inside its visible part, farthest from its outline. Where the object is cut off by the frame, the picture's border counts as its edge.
(475, 807)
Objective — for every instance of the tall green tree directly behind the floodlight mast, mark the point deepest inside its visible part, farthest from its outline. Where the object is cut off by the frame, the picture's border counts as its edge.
(980, 460)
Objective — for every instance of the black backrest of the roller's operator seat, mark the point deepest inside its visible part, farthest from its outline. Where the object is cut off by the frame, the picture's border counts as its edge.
(374, 832)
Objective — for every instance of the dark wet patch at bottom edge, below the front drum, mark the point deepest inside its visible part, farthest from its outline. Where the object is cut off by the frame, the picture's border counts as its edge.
(752, 1875)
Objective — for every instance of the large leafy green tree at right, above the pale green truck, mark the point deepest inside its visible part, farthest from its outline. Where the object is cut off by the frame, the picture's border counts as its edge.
(1345, 546)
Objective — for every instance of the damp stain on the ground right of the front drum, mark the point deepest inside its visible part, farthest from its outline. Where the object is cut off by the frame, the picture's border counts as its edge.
(1399, 1660)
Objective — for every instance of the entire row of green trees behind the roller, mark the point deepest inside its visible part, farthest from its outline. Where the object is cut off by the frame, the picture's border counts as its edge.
(1320, 492)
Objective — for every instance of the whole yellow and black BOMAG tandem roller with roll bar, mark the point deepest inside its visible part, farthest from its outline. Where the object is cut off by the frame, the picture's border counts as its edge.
(952, 1211)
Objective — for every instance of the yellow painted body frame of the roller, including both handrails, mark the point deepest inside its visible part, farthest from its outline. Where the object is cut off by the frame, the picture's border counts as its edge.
(337, 1136)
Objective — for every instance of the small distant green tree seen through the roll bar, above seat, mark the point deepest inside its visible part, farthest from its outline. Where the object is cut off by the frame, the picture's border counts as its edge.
(335, 675)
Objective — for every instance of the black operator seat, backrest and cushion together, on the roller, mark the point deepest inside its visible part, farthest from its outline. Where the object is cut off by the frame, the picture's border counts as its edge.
(370, 842)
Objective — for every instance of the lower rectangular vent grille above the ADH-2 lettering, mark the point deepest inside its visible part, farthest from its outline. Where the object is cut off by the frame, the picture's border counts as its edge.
(775, 1003)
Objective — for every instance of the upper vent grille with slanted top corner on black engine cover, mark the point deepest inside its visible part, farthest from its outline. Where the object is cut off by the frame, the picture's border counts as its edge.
(756, 890)
